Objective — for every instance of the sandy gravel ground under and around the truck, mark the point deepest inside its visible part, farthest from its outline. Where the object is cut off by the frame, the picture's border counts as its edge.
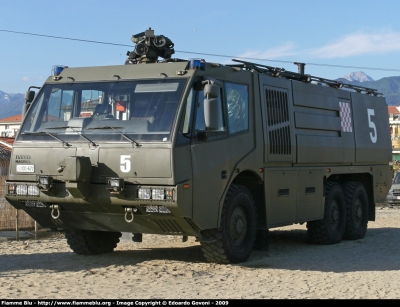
(164, 267)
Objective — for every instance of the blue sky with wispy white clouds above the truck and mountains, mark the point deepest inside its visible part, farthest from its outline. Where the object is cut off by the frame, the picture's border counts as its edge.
(333, 38)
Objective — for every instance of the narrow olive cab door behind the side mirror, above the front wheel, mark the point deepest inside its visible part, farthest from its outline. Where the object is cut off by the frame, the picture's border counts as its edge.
(210, 164)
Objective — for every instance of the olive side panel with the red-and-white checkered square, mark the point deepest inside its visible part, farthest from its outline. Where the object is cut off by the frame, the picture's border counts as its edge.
(323, 124)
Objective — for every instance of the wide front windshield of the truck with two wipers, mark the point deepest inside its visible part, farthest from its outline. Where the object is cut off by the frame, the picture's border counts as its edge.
(105, 111)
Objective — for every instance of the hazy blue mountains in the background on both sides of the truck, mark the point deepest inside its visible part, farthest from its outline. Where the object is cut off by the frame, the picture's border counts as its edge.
(11, 104)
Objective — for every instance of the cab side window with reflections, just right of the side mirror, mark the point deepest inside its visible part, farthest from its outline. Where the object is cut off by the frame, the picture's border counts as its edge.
(237, 99)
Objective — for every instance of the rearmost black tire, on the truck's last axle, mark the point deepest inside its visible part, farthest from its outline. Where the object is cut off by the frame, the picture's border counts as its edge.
(356, 211)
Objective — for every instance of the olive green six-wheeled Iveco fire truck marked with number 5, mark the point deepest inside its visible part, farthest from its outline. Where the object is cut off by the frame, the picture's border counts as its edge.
(190, 148)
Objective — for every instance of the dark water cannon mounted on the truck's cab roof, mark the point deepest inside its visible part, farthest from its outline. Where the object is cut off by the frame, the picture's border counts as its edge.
(149, 47)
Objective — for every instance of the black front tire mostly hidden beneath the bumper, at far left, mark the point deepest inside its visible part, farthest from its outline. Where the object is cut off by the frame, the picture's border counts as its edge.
(91, 242)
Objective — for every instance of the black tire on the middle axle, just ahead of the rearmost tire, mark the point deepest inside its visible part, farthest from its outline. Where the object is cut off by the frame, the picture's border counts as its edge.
(330, 229)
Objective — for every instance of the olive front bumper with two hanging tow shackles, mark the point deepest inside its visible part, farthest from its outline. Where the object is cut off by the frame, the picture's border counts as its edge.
(104, 210)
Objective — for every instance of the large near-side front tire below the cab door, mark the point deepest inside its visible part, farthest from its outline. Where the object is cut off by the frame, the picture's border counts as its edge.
(234, 240)
